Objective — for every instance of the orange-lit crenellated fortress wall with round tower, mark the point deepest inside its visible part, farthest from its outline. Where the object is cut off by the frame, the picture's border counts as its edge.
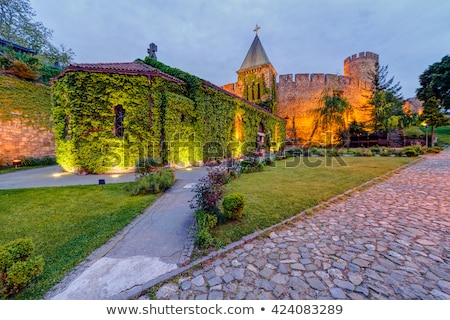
(299, 95)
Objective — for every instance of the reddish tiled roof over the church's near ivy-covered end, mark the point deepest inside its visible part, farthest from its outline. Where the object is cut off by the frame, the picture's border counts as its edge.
(131, 68)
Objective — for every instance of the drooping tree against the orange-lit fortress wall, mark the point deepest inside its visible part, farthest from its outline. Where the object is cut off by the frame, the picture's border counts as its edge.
(332, 115)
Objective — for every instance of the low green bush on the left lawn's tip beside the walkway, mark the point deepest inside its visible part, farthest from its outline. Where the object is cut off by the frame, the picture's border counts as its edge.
(153, 183)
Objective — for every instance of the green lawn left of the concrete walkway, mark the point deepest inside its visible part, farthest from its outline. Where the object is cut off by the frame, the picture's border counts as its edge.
(66, 224)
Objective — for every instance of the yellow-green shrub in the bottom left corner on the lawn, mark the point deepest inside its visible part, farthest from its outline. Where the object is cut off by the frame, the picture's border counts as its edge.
(17, 269)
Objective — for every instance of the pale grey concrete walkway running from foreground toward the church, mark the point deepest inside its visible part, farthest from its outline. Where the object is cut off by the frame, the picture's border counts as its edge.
(155, 243)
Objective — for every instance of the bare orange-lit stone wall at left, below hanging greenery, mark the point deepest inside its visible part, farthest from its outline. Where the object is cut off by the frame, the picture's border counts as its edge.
(18, 141)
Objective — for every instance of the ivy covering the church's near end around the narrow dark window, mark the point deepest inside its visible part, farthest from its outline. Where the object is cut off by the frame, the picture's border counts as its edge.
(83, 111)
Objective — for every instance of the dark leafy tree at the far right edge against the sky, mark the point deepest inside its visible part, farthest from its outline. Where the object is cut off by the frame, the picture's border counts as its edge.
(435, 82)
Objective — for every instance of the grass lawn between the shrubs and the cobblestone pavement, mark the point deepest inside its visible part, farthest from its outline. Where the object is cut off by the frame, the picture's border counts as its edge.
(281, 192)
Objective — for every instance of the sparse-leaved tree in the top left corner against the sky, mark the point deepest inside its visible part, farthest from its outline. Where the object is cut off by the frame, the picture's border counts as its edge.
(17, 26)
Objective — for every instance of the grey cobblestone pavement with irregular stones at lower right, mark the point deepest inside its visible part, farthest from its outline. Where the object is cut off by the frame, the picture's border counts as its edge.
(388, 241)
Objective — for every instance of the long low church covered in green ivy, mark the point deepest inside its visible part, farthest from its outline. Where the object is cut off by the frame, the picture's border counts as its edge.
(109, 115)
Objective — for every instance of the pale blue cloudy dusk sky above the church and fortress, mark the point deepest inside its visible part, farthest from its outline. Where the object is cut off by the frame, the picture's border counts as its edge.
(210, 38)
